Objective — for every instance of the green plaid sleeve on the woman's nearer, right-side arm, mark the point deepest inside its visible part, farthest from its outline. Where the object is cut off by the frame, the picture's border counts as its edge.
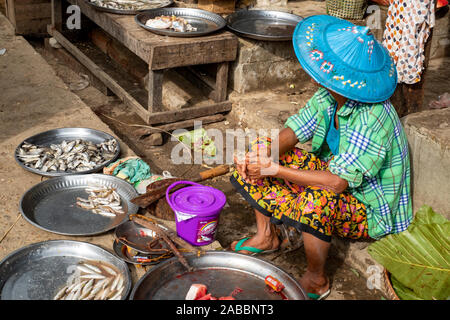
(364, 156)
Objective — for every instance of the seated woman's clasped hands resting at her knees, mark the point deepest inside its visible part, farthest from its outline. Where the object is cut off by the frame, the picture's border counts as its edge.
(260, 166)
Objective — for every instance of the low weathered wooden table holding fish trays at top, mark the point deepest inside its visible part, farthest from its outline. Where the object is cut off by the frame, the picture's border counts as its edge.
(161, 53)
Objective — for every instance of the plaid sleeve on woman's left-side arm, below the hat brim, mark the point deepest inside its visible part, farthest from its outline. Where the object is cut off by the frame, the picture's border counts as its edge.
(304, 123)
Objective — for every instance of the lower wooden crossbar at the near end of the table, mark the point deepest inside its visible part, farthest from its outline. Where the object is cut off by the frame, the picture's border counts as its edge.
(188, 113)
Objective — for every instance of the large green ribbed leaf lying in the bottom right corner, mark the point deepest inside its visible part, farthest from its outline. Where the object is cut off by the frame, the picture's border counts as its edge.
(418, 258)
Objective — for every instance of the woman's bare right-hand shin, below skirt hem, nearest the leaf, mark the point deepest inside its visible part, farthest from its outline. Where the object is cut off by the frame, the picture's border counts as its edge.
(314, 279)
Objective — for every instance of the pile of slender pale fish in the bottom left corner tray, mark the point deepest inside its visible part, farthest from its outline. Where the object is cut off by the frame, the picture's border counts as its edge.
(93, 282)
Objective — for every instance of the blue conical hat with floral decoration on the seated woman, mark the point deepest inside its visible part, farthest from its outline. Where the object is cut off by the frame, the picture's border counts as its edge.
(345, 58)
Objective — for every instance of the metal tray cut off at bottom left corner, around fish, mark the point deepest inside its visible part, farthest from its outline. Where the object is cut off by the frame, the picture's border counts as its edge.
(38, 271)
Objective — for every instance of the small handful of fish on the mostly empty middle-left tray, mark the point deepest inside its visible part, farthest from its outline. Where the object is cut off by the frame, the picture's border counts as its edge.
(102, 200)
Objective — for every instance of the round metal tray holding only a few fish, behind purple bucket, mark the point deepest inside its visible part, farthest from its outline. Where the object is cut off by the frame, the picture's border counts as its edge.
(50, 205)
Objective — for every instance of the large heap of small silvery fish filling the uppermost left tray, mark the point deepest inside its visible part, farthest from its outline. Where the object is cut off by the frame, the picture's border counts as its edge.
(73, 155)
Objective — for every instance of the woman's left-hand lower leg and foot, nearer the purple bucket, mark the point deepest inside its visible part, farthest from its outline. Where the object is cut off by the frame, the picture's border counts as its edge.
(266, 236)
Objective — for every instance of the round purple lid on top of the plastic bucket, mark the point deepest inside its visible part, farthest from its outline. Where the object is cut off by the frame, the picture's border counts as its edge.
(198, 200)
